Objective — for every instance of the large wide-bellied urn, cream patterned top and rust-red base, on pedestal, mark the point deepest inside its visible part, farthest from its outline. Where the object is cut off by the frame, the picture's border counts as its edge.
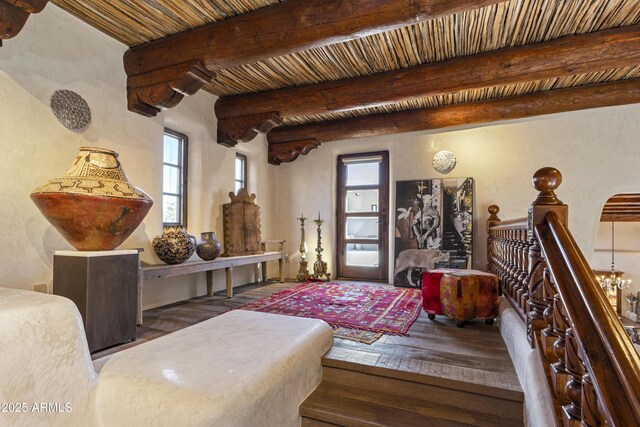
(93, 206)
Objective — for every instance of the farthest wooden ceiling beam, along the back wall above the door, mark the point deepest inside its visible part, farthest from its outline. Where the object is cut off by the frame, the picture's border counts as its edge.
(287, 143)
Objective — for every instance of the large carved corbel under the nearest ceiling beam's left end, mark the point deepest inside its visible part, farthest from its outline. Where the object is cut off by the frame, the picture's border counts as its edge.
(166, 87)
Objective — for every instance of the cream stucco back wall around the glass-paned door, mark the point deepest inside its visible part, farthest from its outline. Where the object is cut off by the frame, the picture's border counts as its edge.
(597, 152)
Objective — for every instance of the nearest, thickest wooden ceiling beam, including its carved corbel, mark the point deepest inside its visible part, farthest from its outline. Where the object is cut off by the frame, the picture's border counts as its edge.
(155, 69)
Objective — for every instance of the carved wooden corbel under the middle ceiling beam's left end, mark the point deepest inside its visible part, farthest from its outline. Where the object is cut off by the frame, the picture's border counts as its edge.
(245, 128)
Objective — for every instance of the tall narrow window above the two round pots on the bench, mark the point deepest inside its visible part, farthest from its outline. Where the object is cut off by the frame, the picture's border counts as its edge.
(174, 178)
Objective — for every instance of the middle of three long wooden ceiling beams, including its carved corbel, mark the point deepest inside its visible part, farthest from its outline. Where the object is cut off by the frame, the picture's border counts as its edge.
(567, 56)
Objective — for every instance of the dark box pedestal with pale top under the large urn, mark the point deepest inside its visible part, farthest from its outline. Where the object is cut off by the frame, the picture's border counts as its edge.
(104, 287)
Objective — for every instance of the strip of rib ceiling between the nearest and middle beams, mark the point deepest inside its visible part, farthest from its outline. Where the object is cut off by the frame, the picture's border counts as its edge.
(511, 23)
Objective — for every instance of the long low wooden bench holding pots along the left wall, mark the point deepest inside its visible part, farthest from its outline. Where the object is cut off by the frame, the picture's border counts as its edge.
(157, 271)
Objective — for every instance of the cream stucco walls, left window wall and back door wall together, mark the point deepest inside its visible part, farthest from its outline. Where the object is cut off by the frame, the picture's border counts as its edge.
(596, 150)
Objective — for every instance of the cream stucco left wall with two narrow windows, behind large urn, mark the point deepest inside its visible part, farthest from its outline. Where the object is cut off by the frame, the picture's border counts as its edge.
(57, 51)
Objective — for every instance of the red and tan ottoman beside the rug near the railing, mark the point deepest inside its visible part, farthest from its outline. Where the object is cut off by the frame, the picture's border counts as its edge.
(460, 294)
